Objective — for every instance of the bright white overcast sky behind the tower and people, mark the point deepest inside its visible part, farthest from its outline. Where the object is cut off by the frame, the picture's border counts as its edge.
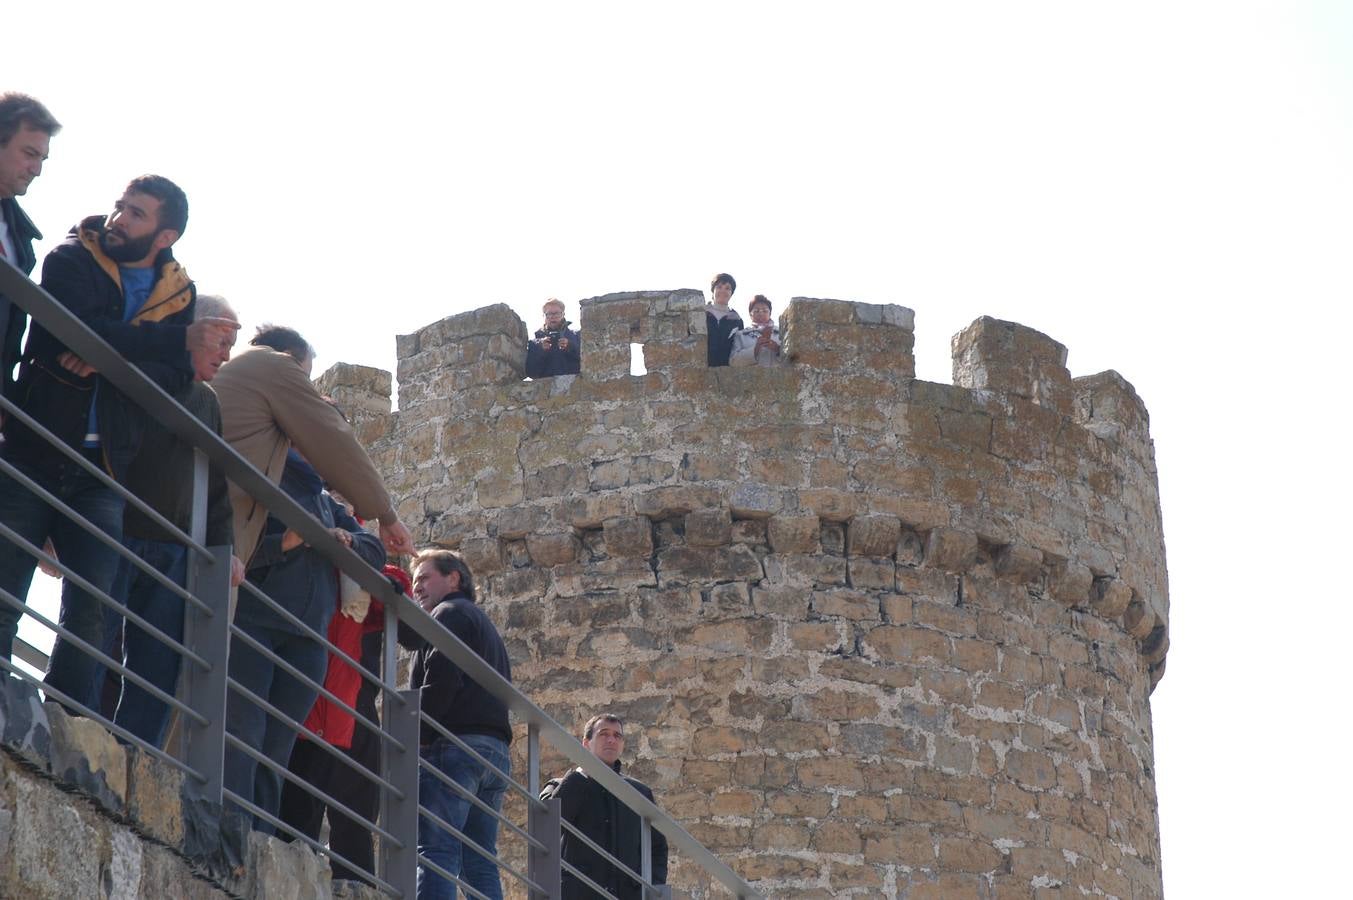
(1164, 187)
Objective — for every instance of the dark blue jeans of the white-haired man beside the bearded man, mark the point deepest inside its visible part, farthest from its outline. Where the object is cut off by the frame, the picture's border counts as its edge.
(140, 711)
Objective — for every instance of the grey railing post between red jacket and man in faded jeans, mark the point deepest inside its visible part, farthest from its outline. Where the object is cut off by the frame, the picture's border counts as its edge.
(400, 867)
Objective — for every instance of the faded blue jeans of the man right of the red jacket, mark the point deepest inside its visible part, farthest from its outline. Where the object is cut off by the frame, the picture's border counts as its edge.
(436, 842)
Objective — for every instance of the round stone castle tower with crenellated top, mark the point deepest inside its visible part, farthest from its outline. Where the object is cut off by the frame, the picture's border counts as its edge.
(876, 637)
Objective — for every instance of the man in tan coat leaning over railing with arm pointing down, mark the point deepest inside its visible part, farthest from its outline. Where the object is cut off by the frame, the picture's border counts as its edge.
(267, 405)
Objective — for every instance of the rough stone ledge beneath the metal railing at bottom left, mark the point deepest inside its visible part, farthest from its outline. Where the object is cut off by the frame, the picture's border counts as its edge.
(82, 814)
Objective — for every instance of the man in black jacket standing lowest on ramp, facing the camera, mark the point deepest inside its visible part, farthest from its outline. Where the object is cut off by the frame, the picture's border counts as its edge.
(610, 824)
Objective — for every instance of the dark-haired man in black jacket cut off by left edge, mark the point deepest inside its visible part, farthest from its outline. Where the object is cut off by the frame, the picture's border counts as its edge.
(26, 131)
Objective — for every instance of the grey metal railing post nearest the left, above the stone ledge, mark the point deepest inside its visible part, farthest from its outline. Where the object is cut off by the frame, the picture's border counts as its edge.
(205, 691)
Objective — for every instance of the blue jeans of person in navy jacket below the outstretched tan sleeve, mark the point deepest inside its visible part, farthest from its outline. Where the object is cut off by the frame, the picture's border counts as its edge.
(258, 729)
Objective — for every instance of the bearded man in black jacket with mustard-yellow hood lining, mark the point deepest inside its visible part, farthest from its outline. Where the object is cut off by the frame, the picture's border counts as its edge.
(118, 277)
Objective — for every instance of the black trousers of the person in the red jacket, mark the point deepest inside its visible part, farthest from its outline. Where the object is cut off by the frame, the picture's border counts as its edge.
(305, 813)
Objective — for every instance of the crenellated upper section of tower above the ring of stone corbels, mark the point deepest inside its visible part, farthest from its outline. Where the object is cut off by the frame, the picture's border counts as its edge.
(1017, 451)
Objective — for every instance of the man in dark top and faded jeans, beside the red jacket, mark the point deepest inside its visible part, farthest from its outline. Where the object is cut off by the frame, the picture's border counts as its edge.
(444, 587)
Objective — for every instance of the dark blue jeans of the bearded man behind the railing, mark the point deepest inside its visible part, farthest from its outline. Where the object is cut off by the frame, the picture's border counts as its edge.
(70, 671)
